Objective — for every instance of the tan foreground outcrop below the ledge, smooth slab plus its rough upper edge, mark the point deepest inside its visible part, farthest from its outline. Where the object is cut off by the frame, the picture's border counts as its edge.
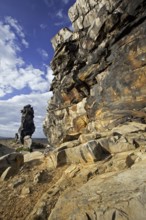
(110, 189)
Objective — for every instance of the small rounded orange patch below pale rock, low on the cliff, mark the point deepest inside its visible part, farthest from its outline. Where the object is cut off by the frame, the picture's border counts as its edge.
(80, 122)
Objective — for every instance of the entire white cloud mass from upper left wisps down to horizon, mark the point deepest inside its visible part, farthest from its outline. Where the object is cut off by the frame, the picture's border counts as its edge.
(16, 75)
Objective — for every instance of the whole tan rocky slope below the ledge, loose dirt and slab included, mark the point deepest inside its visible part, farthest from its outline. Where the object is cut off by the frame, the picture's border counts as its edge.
(113, 188)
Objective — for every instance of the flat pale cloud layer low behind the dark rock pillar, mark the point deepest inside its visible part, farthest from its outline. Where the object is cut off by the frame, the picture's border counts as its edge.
(10, 116)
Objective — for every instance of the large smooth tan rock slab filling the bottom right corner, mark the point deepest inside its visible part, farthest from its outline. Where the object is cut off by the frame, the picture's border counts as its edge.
(114, 196)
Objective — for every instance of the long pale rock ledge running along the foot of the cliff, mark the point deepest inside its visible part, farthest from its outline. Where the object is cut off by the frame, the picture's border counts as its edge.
(124, 138)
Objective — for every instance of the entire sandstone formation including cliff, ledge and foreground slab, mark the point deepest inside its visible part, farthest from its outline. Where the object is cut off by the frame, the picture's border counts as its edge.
(96, 118)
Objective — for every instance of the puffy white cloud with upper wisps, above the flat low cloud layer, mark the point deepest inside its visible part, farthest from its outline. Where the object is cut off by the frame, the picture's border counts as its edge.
(15, 74)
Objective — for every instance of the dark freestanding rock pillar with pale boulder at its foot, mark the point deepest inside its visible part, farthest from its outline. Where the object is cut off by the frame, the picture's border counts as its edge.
(27, 126)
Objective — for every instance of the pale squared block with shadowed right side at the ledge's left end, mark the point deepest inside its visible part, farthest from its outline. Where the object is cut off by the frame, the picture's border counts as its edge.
(83, 153)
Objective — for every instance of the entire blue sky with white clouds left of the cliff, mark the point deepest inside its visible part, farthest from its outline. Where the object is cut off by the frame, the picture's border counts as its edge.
(26, 29)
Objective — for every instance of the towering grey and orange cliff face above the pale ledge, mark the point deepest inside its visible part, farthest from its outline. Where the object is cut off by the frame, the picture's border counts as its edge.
(99, 70)
